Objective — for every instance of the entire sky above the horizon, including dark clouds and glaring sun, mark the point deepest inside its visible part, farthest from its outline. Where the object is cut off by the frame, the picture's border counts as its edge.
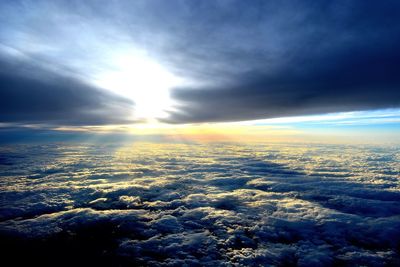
(316, 69)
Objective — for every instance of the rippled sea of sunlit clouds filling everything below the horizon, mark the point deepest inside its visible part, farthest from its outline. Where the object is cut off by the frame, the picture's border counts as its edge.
(201, 204)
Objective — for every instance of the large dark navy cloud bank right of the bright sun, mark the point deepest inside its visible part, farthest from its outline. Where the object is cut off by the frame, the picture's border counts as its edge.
(295, 59)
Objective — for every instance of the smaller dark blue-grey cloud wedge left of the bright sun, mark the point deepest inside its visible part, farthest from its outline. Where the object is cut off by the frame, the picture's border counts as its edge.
(31, 94)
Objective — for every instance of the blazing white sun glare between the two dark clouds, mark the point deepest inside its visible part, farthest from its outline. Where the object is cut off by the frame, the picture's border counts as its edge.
(145, 81)
